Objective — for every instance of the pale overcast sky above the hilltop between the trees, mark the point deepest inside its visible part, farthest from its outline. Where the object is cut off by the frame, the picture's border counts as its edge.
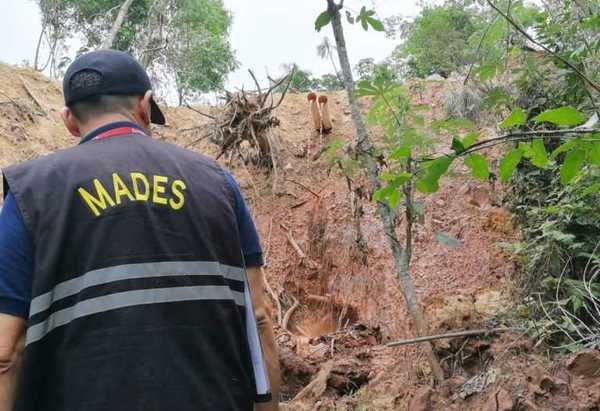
(265, 34)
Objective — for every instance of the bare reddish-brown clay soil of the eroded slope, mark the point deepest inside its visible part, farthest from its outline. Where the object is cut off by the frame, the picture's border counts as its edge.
(349, 303)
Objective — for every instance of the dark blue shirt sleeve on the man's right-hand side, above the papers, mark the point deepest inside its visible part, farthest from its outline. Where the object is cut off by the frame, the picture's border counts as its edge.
(248, 234)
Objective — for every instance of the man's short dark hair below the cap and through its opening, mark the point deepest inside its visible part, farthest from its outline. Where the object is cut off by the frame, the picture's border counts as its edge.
(85, 109)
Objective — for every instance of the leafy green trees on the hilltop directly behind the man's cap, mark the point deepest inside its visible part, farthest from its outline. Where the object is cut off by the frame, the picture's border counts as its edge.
(184, 41)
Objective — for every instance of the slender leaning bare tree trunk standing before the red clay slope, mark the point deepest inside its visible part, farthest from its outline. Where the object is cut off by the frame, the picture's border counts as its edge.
(364, 147)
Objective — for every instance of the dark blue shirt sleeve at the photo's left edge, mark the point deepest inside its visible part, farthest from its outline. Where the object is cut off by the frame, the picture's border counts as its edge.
(16, 261)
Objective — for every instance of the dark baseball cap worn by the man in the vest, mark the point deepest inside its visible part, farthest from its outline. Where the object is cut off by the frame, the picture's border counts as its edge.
(116, 73)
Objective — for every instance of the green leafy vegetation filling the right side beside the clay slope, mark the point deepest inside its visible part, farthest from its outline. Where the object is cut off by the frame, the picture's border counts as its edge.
(537, 71)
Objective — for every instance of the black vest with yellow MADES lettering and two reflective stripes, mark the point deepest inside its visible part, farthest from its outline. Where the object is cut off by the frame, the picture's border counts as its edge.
(138, 290)
